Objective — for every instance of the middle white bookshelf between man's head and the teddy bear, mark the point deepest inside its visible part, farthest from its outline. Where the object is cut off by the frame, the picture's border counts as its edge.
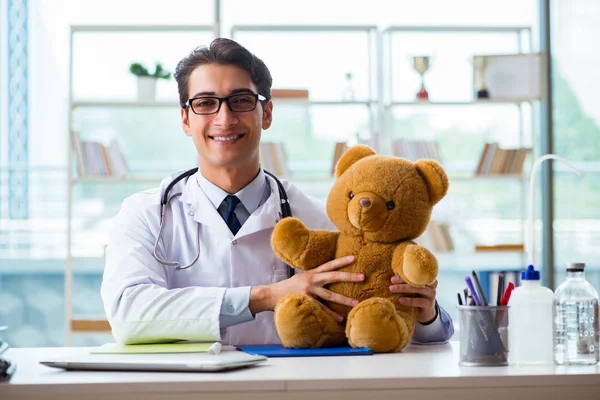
(314, 175)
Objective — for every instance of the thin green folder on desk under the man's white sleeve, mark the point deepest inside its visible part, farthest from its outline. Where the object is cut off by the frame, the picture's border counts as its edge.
(157, 348)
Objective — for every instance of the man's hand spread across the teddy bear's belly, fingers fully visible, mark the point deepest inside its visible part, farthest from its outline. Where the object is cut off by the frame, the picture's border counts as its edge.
(310, 283)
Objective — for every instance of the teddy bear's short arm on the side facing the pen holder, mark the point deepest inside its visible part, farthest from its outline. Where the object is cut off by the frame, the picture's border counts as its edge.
(415, 264)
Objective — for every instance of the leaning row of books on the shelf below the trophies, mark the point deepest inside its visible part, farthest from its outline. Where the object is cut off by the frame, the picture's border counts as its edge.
(495, 160)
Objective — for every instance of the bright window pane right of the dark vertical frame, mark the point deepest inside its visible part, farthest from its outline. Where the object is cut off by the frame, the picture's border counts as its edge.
(576, 124)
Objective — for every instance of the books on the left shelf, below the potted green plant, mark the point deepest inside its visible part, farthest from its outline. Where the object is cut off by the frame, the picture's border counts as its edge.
(96, 159)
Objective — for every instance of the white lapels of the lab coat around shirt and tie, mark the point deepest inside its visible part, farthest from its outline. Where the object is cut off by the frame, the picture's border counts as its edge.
(203, 211)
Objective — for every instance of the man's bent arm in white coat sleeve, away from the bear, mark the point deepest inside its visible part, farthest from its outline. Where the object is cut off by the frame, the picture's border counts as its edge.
(137, 301)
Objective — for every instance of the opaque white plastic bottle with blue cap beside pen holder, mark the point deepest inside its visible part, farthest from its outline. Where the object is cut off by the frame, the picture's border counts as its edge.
(530, 321)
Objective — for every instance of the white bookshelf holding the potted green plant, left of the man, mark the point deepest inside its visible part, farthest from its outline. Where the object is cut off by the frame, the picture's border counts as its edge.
(122, 178)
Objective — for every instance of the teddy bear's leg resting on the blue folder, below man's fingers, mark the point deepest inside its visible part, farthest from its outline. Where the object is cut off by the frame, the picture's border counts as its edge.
(301, 322)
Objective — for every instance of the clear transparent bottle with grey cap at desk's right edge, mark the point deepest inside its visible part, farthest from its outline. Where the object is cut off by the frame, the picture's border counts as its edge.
(576, 319)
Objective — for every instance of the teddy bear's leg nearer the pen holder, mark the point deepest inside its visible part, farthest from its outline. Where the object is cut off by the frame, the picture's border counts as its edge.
(374, 323)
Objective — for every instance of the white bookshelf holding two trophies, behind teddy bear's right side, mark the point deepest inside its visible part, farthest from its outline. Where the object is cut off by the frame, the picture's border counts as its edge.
(506, 167)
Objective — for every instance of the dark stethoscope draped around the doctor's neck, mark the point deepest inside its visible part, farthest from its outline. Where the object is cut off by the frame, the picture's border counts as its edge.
(165, 199)
